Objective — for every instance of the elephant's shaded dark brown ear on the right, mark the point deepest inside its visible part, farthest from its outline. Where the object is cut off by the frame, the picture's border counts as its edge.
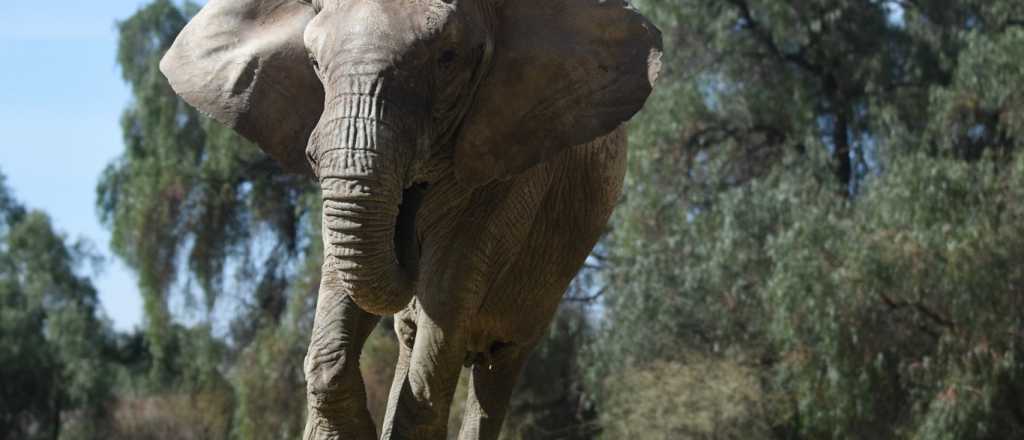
(565, 73)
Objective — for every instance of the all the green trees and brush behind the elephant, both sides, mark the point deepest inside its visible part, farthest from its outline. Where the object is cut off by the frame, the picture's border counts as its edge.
(823, 237)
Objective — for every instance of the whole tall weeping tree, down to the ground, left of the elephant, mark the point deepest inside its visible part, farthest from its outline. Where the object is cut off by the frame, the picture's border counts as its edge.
(225, 245)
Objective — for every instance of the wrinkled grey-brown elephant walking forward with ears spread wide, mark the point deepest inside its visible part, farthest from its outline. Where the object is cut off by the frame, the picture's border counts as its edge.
(470, 155)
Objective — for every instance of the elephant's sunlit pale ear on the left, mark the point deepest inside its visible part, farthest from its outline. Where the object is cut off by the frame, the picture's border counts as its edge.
(244, 64)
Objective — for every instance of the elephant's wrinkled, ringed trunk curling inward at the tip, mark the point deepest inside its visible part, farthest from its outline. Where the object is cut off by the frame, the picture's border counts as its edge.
(362, 155)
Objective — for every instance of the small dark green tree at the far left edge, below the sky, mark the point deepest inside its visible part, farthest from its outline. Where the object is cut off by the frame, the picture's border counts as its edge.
(54, 342)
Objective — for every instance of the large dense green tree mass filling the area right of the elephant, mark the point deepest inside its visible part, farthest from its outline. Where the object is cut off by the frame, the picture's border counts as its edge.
(801, 186)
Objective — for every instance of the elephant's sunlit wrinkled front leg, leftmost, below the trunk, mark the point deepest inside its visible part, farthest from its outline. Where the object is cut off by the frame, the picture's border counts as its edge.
(335, 393)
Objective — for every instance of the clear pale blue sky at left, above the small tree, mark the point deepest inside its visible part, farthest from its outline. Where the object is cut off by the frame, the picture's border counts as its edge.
(61, 100)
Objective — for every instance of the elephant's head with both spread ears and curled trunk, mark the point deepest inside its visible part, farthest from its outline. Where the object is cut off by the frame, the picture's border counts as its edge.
(362, 94)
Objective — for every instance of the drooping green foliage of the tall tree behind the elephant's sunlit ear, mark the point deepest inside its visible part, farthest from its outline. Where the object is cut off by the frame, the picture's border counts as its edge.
(190, 199)
